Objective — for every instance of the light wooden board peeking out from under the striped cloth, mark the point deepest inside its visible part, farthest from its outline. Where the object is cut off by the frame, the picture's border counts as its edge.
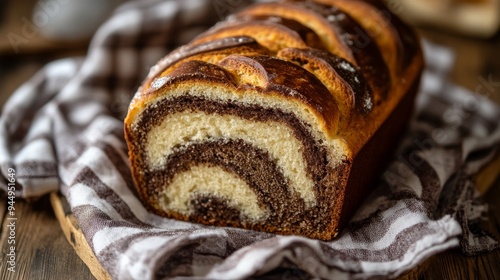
(484, 180)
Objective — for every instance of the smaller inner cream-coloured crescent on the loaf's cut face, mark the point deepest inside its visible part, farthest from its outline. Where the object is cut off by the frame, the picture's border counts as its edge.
(216, 182)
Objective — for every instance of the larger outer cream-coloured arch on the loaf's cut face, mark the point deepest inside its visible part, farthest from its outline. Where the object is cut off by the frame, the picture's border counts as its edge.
(182, 128)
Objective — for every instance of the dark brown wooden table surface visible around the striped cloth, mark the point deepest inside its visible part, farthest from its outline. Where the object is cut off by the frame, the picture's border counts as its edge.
(44, 253)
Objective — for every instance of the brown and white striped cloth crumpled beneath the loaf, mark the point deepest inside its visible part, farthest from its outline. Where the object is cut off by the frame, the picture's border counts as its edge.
(63, 130)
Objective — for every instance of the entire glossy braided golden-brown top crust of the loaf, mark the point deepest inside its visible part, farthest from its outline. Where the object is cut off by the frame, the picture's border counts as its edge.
(343, 64)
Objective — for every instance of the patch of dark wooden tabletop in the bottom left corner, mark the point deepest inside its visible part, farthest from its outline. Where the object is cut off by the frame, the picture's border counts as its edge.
(41, 249)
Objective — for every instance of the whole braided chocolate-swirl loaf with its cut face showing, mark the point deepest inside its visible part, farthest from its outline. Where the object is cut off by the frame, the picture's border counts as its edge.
(276, 119)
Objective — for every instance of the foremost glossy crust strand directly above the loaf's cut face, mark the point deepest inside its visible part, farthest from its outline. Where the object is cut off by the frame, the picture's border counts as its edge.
(270, 77)
